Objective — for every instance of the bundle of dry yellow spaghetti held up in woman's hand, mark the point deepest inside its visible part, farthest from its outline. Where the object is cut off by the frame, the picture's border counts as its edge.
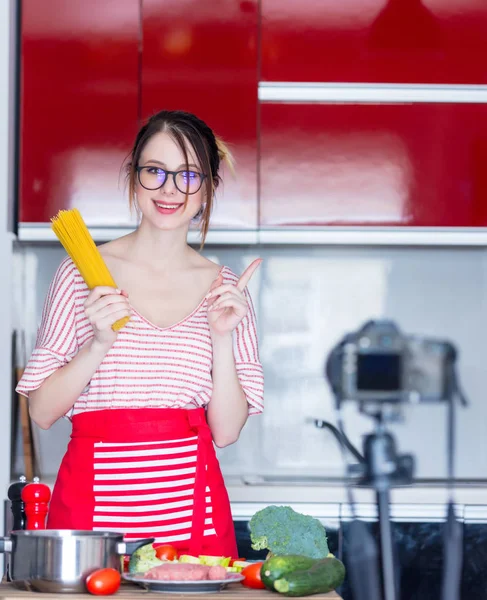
(73, 234)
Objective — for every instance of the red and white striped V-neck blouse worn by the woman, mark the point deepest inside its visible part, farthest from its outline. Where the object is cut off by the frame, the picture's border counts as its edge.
(147, 366)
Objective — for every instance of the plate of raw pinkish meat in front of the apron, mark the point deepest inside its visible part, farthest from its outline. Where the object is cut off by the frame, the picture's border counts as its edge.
(184, 578)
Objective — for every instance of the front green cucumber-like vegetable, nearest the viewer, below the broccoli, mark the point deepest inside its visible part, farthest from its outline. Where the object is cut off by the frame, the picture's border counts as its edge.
(324, 576)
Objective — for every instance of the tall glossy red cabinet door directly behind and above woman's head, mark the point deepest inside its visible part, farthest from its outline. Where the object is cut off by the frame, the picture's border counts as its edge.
(202, 57)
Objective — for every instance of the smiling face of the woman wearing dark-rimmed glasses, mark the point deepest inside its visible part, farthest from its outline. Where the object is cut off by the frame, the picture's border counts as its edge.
(164, 206)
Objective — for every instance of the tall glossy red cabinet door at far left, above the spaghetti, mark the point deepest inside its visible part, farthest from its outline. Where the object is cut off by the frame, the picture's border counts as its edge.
(79, 106)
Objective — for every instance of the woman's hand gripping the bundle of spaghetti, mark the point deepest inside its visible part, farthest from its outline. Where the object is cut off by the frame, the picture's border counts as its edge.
(104, 306)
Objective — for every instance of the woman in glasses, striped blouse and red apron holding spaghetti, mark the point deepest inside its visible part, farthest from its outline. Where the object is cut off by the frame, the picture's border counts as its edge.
(148, 404)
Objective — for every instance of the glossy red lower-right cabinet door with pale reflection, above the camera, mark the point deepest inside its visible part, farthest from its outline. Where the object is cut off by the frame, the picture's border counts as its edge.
(383, 165)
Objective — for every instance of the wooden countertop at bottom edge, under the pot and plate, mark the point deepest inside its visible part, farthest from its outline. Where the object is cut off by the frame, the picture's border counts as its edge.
(132, 592)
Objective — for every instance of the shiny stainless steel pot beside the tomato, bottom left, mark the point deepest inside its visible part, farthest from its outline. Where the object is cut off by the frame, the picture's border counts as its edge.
(53, 560)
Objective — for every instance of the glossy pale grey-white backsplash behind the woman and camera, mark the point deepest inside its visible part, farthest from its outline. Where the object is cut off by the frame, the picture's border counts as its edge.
(307, 298)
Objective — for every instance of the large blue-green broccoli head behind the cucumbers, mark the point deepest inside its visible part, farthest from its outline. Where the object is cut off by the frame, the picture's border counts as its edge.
(281, 530)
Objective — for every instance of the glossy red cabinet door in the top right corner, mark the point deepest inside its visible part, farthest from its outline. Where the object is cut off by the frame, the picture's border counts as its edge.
(389, 41)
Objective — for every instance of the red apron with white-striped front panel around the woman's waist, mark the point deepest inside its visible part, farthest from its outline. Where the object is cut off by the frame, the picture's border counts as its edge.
(147, 473)
